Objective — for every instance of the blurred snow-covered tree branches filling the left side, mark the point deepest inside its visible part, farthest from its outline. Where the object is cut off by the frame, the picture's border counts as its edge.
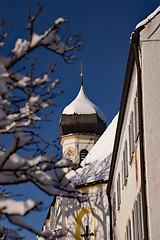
(25, 100)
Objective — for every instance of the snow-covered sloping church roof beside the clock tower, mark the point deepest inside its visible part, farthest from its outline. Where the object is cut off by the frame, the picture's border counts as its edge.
(96, 165)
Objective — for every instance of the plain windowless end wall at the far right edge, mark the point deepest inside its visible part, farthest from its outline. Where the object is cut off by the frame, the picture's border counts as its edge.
(150, 48)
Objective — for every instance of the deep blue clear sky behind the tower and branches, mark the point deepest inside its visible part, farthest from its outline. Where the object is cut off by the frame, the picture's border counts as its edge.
(104, 28)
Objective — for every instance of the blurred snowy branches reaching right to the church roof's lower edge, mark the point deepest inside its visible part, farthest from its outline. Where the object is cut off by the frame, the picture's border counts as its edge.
(44, 171)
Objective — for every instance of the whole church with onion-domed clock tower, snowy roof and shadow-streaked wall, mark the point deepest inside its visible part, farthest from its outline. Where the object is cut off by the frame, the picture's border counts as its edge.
(81, 125)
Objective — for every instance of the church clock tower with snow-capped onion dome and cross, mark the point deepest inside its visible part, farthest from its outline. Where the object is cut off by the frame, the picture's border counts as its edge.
(81, 125)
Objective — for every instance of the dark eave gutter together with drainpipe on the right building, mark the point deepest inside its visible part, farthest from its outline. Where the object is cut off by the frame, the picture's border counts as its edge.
(133, 57)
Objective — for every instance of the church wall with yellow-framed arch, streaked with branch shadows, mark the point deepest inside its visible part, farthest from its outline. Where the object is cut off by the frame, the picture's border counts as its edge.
(76, 216)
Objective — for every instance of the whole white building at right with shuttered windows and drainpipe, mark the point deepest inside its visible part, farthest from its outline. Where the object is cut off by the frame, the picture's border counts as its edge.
(134, 182)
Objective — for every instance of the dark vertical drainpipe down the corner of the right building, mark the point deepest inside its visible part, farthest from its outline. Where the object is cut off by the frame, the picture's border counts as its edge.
(135, 41)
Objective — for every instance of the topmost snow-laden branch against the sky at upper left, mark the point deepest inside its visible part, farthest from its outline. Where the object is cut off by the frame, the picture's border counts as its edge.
(50, 39)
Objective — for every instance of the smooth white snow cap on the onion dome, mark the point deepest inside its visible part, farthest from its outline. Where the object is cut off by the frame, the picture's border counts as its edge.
(82, 105)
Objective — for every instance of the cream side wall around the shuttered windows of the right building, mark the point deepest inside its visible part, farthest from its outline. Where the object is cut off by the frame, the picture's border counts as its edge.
(129, 191)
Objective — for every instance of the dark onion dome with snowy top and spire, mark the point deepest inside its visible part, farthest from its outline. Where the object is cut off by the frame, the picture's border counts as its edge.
(82, 116)
